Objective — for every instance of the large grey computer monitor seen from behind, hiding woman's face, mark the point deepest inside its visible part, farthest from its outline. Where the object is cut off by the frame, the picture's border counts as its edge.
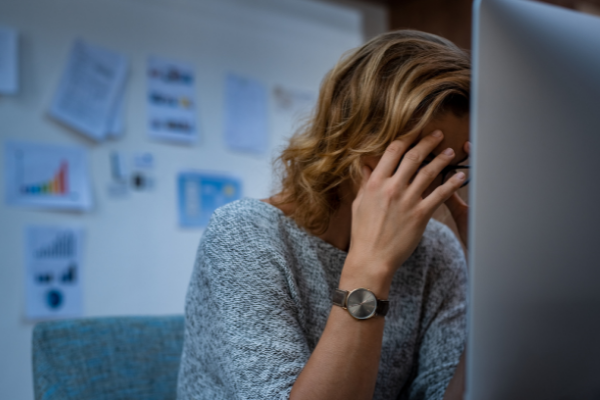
(534, 312)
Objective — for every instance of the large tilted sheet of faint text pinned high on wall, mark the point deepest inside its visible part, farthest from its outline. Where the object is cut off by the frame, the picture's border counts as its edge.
(89, 90)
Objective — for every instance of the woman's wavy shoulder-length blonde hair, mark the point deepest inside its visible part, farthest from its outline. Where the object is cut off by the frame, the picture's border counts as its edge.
(393, 85)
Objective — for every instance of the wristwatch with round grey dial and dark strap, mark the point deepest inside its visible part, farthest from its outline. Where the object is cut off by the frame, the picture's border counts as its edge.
(361, 303)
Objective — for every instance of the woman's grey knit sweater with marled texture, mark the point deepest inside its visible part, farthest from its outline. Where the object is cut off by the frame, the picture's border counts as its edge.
(260, 296)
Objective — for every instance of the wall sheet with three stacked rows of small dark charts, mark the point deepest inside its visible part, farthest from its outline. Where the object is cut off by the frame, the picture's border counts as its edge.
(171, 101)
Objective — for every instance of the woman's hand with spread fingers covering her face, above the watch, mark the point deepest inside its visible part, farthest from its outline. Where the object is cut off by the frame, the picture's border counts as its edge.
(389, 214)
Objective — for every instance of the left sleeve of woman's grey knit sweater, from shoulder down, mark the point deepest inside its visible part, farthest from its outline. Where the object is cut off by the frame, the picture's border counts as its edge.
(243, 339)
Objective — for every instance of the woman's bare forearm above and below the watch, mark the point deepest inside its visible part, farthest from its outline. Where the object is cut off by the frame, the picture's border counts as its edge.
(345, 363)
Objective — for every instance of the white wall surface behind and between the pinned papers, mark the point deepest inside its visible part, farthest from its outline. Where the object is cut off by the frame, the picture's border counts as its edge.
(136, 258)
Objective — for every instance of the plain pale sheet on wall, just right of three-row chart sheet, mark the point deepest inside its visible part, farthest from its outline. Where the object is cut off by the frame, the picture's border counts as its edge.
(246, 114)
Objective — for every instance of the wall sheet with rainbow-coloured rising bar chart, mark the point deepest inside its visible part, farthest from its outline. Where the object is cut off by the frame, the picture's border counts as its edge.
(47, 176)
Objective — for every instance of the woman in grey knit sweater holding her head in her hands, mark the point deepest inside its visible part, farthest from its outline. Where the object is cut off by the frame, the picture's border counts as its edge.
(350, 223)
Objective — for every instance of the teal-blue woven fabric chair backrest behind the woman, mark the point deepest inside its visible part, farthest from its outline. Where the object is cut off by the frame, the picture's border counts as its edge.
(107, 358)
